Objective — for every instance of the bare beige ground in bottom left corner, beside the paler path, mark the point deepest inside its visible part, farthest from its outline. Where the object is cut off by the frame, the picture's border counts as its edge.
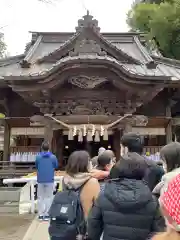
(14, 226)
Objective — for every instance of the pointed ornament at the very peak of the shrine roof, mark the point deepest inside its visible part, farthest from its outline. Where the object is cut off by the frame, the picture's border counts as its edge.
(87, 21)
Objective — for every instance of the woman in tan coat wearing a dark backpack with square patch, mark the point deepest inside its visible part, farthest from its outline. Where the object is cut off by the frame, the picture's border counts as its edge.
(74, 200)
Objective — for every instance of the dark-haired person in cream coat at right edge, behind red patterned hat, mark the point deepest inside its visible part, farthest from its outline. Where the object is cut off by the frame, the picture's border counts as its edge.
(170, 155)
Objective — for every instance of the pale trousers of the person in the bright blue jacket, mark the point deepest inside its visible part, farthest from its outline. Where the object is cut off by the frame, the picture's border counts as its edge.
(45, 197)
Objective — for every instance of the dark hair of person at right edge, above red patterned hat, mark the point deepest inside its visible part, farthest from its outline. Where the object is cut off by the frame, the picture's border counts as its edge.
(170, 154)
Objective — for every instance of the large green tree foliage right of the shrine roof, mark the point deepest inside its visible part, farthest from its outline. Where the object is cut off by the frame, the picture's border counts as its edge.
(161, 23)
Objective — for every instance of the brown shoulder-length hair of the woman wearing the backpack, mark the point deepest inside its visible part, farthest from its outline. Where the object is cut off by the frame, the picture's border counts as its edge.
(78, 162)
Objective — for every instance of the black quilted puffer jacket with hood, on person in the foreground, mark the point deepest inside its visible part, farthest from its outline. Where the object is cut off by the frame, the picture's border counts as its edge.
(125, 211)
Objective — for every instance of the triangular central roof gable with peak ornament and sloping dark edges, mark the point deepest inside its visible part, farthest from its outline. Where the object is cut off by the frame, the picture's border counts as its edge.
(83, 42)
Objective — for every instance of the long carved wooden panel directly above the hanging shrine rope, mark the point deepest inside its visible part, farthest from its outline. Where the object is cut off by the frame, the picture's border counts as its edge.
(86, 107)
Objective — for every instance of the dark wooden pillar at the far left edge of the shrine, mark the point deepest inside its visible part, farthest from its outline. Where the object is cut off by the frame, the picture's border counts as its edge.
(7, 135)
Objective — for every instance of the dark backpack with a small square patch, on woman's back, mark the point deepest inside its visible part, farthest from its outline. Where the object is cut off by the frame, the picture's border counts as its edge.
(67, 220)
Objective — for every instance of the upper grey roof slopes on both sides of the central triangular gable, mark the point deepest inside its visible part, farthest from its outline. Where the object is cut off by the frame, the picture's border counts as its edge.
(52, 41)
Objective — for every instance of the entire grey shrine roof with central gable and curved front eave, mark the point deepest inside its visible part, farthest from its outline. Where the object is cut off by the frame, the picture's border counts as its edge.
(135, 60)
